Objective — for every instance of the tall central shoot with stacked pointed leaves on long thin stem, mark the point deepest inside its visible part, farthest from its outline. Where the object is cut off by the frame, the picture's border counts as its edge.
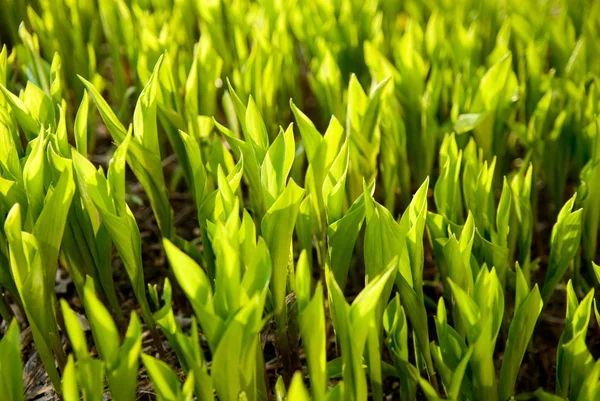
(276, 199)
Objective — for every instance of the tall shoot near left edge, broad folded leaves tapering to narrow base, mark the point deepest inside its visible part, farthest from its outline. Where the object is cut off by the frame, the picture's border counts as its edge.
(34, 255)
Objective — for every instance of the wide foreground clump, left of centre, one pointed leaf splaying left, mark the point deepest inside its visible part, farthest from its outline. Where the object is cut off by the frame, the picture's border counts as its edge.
(231, 316)
